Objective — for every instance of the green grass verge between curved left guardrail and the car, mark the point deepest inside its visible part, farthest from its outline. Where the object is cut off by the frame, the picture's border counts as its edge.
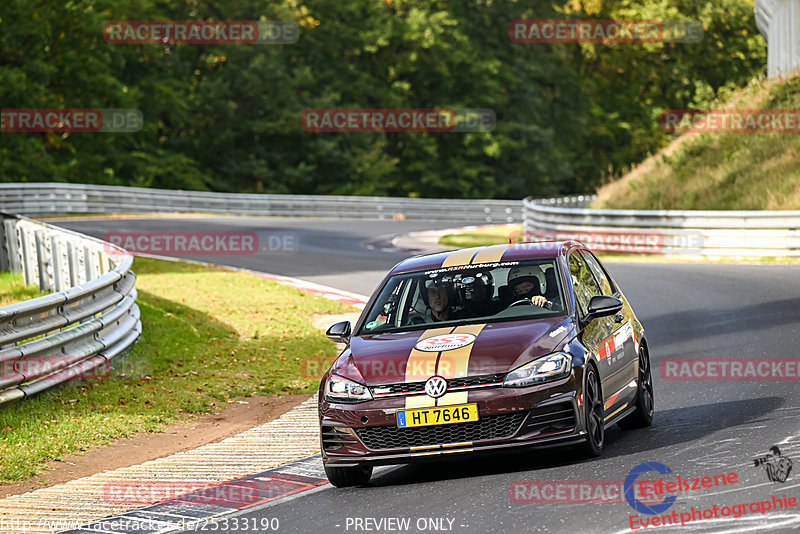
(209, 336)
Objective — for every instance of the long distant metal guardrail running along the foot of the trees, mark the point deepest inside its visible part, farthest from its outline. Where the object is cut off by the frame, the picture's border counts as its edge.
(39, 199)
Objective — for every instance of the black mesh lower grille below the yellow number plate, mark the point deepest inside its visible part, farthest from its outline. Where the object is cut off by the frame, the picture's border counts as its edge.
(391, 437)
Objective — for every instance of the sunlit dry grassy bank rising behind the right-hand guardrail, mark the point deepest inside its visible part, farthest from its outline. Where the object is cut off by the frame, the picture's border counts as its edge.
(721, 171)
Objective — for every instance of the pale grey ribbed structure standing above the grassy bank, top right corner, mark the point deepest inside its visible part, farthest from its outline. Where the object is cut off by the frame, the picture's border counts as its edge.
(779, 23)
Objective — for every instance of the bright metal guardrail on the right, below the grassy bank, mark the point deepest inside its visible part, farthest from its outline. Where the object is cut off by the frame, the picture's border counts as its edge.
(704, 233)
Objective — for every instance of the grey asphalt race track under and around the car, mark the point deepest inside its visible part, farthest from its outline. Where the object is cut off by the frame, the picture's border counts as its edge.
(700, 429)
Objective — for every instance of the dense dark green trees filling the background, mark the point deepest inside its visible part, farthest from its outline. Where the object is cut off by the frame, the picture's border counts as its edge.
(226, 117)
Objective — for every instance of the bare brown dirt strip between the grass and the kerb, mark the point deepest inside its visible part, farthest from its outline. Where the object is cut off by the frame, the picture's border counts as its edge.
(237, 417)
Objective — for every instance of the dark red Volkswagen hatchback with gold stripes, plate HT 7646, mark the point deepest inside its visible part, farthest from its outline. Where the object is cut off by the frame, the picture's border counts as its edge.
(485, 348)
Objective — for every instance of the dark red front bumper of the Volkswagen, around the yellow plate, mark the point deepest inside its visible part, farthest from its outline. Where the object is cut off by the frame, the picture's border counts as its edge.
(537, 416)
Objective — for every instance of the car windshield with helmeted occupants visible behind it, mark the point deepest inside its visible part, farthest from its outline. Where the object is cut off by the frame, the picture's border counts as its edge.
(466, 294)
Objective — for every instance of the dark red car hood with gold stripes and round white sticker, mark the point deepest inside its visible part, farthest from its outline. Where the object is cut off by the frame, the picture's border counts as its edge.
(497, 348)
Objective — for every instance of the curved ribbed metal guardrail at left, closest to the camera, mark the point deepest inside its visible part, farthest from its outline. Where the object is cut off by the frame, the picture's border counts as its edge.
(75, 332)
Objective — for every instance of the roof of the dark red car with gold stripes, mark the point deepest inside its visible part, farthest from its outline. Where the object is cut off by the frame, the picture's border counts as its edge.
(487, 254)
